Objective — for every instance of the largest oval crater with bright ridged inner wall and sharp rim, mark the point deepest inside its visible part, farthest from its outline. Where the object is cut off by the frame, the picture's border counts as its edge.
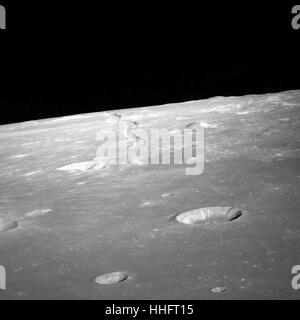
(209, 215)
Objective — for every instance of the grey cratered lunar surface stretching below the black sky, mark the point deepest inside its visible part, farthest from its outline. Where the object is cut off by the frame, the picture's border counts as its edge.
(70, 221)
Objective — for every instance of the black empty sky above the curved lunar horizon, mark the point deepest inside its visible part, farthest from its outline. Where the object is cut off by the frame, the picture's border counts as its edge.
(60, 59)
